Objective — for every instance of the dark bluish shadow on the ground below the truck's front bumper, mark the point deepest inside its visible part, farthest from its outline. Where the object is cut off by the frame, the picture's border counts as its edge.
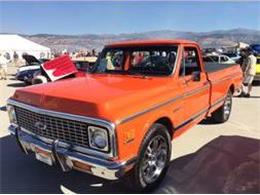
(23, 174)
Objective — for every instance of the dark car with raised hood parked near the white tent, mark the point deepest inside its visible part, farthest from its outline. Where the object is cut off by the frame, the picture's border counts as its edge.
(26, 72)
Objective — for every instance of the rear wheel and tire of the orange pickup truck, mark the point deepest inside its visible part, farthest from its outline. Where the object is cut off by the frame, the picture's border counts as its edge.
(222, 114)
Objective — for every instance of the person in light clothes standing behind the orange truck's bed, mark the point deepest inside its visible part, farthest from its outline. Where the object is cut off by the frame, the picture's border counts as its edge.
(249, 73)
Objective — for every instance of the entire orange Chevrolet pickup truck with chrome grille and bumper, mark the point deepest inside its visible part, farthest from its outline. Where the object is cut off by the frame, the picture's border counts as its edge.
(118, 120)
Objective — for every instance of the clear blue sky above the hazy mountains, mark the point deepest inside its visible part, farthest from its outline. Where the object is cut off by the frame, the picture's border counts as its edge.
(126, 17)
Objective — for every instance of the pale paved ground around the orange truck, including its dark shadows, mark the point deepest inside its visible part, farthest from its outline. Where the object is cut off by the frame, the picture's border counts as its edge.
(209, 158)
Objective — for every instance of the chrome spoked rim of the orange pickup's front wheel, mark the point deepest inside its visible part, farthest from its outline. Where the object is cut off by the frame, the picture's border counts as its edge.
(154, 159)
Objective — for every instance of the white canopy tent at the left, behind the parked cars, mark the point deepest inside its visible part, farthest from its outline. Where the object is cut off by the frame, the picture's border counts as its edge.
(15, 43)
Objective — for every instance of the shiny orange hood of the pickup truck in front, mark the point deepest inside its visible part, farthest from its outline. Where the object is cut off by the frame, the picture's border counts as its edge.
(109, 97)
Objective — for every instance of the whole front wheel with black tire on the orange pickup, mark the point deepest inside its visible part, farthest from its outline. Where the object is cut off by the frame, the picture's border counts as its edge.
(151, 163)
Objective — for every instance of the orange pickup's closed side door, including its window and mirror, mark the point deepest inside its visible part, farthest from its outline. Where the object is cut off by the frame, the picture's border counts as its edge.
(194, 84)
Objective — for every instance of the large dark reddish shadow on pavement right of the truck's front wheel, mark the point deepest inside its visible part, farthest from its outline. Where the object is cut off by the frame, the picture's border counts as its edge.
(228, 164)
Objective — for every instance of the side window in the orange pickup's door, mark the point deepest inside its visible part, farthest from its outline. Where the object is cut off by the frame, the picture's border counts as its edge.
(190, 61)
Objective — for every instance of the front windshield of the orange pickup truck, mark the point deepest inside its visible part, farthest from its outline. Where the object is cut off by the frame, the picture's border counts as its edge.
(157, 61)
